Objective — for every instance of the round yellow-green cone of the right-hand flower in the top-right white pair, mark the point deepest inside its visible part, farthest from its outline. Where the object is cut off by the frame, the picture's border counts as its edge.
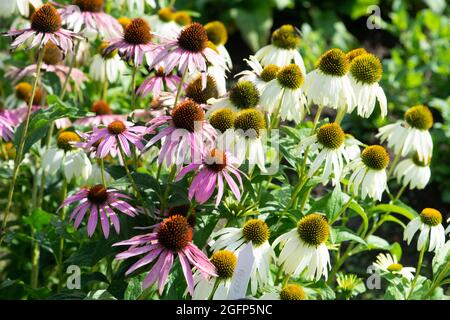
(366, 68)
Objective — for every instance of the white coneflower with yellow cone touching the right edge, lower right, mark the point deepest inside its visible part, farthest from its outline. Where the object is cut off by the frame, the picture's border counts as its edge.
(431, 230)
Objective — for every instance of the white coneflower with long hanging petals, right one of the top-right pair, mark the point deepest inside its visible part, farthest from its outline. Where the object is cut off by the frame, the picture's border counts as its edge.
(365, 73)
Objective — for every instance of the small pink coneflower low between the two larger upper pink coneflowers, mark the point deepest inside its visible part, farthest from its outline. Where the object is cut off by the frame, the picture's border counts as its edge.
(160, 81)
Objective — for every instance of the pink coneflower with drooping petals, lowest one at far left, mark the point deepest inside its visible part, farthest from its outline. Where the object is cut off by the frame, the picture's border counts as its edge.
(101, 202)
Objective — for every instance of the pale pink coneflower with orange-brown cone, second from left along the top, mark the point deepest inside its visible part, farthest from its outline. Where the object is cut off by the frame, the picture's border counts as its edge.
(135, 43)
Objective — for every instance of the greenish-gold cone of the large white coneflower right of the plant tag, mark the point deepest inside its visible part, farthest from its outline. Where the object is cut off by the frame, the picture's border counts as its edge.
(313, 229)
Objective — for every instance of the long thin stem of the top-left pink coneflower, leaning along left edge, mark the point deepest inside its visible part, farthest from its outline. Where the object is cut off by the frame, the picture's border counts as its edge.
(19, 153)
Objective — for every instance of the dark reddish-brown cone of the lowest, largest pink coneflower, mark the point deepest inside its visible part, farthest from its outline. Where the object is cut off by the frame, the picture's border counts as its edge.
(174, 233)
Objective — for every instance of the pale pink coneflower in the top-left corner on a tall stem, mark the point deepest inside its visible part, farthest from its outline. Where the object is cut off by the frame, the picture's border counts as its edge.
(45, 27)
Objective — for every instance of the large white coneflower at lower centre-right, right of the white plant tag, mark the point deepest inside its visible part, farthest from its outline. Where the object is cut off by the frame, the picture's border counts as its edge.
(304, 248)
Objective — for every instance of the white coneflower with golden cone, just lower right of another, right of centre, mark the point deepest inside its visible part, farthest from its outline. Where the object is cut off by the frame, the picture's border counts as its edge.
(369, 176)
